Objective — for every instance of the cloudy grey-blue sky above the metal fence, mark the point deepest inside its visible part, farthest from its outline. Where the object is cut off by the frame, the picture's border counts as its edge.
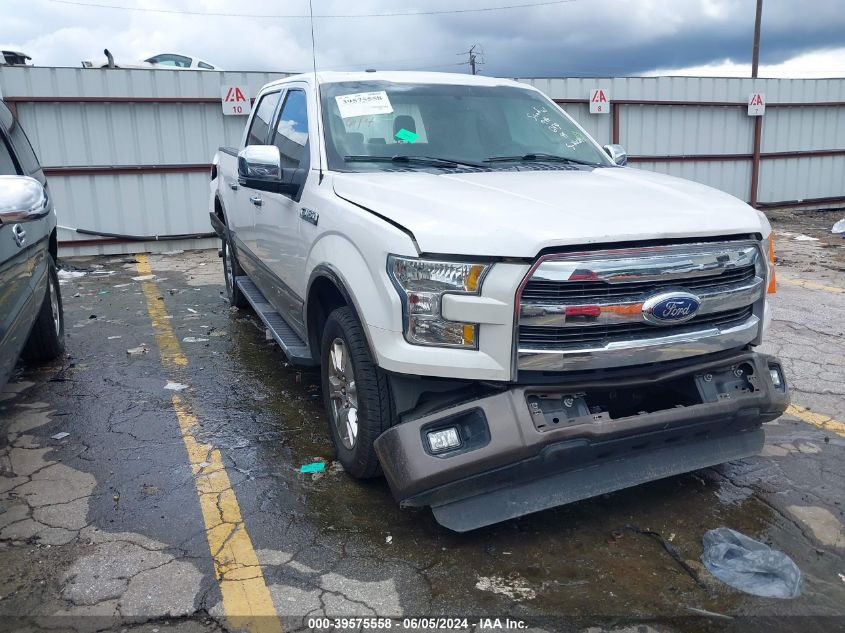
(569, 37)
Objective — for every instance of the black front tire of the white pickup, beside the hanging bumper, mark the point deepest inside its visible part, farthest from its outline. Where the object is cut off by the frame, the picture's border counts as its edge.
(374, 410)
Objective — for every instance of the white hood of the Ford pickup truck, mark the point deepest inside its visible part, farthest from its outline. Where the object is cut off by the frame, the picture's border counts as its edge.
(517, 214)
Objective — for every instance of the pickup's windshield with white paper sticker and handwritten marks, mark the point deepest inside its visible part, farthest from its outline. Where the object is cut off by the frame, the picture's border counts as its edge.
(441, 125)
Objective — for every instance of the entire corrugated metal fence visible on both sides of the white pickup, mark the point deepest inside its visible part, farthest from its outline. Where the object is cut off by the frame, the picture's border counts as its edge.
(128, 151)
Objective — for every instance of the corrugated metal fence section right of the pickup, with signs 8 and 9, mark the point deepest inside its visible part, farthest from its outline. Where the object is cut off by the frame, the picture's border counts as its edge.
(699, 128)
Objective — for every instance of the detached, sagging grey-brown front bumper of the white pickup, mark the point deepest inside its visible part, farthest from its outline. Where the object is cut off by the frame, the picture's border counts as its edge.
(529, 448)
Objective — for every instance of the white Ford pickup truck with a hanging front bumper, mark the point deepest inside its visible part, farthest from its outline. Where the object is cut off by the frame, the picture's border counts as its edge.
(505, 317)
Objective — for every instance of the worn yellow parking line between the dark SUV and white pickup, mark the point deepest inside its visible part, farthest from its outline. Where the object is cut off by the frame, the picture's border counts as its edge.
(246, 599)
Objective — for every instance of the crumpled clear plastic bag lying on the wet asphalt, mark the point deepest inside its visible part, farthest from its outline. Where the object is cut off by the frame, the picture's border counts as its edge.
(749, 565)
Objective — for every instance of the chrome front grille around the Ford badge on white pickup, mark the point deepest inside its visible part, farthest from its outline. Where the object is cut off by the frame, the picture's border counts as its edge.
(588, 310)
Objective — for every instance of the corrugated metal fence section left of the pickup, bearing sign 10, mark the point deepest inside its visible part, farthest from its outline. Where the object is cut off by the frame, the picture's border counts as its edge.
(127, 151)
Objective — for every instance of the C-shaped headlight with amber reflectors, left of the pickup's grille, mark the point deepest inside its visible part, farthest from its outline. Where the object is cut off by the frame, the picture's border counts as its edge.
(421, 284)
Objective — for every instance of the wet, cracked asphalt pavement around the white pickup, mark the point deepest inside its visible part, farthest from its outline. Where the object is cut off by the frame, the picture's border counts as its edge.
(106, 527)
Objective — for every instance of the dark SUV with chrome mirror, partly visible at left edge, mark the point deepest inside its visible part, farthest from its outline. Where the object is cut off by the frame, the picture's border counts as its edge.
(31, 318)
